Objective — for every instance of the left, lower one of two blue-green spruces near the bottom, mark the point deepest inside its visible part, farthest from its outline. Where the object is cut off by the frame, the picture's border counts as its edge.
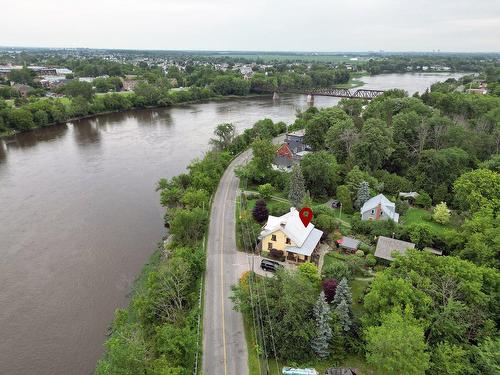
(323, 330)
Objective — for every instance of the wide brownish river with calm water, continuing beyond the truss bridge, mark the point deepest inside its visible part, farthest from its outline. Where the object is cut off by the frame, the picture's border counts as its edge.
(79, 218)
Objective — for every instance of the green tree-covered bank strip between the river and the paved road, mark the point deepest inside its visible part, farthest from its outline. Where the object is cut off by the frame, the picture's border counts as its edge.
(164, 311)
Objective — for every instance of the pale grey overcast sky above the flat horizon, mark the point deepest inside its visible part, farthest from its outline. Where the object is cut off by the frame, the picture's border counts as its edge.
(266, 25)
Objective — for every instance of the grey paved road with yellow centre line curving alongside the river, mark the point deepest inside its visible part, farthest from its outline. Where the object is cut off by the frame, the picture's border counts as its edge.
(224, 345)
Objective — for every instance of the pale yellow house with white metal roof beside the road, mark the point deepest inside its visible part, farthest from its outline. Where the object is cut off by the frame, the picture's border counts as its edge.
(287, 234)
